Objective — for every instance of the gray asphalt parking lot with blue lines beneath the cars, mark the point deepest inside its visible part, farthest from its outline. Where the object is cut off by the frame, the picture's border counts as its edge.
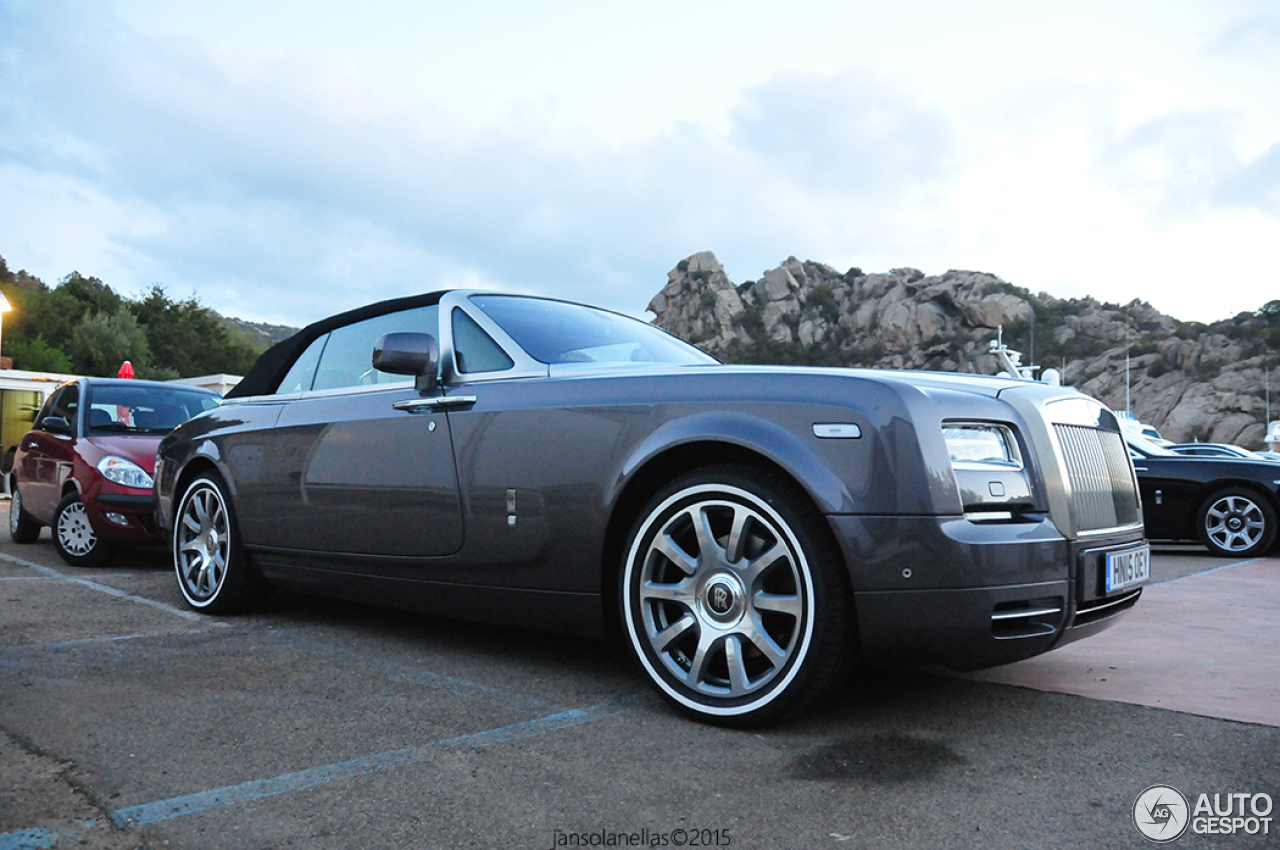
(127, 721)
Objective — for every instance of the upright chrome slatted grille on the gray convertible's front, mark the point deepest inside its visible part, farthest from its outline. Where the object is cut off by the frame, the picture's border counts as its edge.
(1101, 478)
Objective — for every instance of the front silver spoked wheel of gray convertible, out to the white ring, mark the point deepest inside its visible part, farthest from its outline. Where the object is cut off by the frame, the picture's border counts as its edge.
(723, 600)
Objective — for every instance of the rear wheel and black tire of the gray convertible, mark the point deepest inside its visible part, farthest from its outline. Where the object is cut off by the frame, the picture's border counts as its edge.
(214, 573)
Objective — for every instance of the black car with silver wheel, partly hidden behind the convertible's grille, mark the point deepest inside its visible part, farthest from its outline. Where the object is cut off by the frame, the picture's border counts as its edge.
(1228, 504)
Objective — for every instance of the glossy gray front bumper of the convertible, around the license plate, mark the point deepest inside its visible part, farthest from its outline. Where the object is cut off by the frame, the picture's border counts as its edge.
(944, 591)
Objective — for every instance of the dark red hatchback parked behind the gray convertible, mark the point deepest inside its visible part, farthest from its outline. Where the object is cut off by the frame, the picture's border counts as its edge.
(85, 468)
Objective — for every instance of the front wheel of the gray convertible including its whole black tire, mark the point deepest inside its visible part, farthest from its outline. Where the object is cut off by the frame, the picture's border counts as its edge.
(735, 600)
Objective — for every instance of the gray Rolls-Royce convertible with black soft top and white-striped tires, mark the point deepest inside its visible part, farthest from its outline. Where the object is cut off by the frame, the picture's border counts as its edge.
(747, 532)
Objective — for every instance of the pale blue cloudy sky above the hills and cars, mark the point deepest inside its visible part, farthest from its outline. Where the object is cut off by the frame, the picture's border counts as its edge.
(286, 159)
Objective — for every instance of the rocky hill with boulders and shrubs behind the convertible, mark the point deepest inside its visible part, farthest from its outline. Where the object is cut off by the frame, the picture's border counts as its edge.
(1195, 382)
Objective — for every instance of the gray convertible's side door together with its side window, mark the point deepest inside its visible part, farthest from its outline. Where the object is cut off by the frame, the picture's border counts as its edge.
(353, 474)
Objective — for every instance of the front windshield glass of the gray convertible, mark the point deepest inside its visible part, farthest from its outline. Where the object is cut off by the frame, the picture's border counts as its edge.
(555, 332)
